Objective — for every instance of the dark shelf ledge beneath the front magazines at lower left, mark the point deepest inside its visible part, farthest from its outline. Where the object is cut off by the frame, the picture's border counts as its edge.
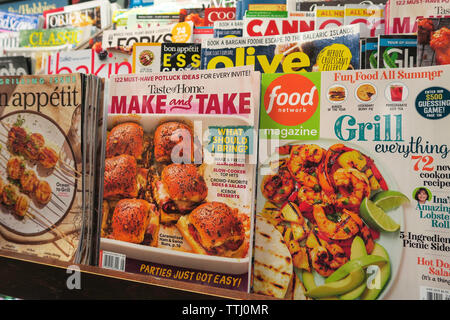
(32, 278)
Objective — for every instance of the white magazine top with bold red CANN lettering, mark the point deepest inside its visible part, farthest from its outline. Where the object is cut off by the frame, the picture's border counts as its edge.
(257, 27)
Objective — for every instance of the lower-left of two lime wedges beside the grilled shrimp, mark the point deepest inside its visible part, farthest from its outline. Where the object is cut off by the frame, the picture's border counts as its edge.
(376, 218)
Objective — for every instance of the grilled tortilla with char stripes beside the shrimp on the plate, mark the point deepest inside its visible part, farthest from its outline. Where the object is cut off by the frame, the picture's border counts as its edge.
(273, 268)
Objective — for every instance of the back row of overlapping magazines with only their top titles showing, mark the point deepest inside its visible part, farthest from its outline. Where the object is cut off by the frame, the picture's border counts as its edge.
(285, 41)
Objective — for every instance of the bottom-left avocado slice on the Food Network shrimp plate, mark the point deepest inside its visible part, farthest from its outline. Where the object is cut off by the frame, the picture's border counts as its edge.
(351, 281)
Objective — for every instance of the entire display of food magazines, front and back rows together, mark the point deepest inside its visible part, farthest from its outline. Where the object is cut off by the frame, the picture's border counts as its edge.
(282, 163)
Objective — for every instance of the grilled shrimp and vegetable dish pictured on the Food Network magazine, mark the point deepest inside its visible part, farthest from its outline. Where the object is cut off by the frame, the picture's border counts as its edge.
(320, 199)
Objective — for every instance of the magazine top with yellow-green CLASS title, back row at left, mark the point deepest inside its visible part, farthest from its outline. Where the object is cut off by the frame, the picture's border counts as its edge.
(39, 38)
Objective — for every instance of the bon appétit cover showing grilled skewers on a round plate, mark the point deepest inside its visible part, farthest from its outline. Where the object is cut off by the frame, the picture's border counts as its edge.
(41, 168)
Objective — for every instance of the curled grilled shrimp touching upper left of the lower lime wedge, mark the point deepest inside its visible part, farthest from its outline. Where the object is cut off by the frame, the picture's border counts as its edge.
(352, 186)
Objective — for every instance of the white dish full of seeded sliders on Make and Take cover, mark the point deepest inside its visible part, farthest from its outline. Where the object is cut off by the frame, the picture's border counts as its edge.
(158, 200)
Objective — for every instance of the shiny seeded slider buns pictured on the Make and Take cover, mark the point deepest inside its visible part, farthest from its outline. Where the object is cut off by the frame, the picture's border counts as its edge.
(140, 177)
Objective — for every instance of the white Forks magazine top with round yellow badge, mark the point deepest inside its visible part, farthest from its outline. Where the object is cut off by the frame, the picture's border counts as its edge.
(122, 40)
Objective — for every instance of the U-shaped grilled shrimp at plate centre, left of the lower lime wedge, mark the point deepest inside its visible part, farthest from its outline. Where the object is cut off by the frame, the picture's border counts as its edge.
(345, 226)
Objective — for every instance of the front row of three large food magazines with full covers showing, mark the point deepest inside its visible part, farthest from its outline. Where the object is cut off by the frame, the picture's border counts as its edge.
(351, 189)
